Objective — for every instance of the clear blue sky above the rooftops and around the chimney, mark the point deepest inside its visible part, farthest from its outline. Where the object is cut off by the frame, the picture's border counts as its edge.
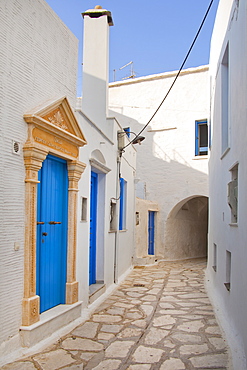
(155, 35)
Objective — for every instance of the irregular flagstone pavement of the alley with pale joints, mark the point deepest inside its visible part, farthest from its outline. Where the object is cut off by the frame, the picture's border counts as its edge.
(159, 318)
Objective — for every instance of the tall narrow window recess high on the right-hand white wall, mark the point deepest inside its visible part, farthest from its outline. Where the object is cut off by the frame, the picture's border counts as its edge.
(225, 101)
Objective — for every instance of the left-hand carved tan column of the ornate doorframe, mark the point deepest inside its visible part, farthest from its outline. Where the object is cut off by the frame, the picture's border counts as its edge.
(33, 159)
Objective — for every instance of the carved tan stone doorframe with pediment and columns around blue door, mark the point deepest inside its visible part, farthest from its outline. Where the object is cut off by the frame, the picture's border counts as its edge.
(53, 129)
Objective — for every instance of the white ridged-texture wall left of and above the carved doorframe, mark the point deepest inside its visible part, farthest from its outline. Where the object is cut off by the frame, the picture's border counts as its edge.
(38, 61)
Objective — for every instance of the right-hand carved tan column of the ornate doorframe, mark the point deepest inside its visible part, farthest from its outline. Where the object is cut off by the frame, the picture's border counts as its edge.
(75, 170)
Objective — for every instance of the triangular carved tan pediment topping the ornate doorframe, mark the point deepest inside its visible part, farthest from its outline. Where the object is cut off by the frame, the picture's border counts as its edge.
(57, 116)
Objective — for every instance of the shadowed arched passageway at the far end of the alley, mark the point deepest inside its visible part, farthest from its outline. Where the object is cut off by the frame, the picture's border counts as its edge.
(187, 228)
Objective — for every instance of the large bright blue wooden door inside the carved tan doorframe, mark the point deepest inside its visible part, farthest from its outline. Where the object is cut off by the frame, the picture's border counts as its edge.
(52, 211)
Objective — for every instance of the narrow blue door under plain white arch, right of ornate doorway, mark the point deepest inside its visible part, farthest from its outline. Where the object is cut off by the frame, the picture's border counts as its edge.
(93, 228)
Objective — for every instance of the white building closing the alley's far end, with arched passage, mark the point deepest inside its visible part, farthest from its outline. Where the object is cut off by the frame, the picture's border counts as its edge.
(172, 163)
